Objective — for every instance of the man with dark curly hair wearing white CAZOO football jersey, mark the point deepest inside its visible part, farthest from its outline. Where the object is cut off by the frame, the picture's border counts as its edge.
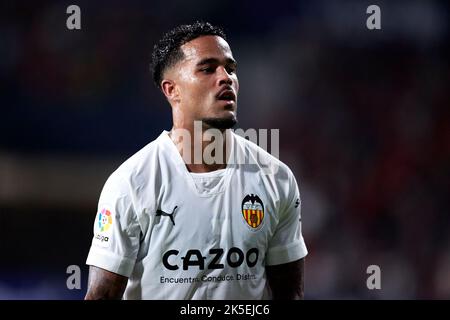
(170, 227)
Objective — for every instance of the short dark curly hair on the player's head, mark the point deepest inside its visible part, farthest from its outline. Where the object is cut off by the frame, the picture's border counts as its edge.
(167, 52)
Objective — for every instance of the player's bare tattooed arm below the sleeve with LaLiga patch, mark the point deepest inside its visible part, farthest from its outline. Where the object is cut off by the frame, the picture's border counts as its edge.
(105, 285)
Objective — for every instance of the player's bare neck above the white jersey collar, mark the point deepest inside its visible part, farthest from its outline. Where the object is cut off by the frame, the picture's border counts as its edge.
(203, 149)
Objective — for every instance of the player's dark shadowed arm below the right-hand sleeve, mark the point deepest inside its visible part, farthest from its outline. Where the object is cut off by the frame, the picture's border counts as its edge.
(286, 280)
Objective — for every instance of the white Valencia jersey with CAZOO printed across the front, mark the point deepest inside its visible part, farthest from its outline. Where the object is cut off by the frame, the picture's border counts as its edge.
(183, 235)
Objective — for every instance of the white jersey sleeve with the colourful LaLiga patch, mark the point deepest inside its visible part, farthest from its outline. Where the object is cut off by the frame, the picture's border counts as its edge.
(115, 244)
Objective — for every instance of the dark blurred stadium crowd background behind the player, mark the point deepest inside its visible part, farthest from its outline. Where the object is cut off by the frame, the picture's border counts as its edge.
(363, 118)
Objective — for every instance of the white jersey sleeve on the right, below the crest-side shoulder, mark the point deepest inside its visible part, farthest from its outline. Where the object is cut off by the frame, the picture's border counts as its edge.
(287, 243)
